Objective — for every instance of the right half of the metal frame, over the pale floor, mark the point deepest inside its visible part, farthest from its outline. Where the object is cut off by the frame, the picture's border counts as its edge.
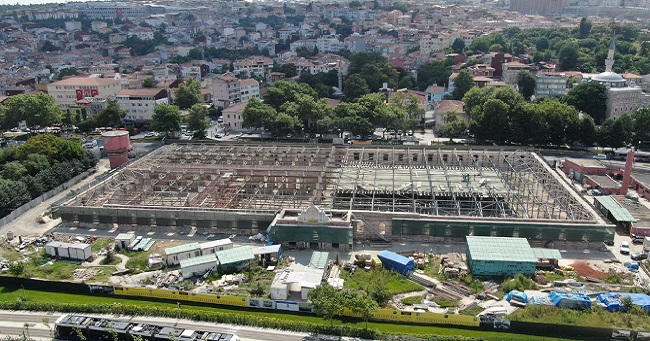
(513, 185)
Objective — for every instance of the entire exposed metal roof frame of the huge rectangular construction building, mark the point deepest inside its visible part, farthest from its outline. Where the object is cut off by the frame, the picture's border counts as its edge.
(377, 179)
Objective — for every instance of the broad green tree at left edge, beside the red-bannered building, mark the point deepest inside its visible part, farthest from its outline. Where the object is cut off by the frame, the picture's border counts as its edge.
(38, 109)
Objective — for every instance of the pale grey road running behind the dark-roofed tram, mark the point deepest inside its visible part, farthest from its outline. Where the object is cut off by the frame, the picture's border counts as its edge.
(39, 325)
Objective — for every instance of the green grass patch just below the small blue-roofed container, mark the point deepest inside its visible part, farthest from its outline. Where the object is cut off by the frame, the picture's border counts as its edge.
(391, 280)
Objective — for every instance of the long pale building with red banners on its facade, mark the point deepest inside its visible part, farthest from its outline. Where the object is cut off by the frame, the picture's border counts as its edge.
(68, 91)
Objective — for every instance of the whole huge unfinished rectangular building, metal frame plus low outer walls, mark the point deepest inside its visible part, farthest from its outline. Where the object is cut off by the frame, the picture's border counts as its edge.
(378, 192)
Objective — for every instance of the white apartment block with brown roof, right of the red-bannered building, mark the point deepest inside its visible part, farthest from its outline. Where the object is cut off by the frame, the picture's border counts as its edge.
(139, 104)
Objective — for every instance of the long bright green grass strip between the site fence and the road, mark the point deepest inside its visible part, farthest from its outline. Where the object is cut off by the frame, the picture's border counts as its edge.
(11, 294)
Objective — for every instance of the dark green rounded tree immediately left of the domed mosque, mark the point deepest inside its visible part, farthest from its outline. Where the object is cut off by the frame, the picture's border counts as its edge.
(590, 98)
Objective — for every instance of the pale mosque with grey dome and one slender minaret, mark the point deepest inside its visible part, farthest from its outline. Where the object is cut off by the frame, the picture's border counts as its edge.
(621, 96)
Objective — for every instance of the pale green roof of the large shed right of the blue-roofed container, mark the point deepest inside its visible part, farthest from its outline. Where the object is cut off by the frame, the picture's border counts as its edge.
(502, 249)
